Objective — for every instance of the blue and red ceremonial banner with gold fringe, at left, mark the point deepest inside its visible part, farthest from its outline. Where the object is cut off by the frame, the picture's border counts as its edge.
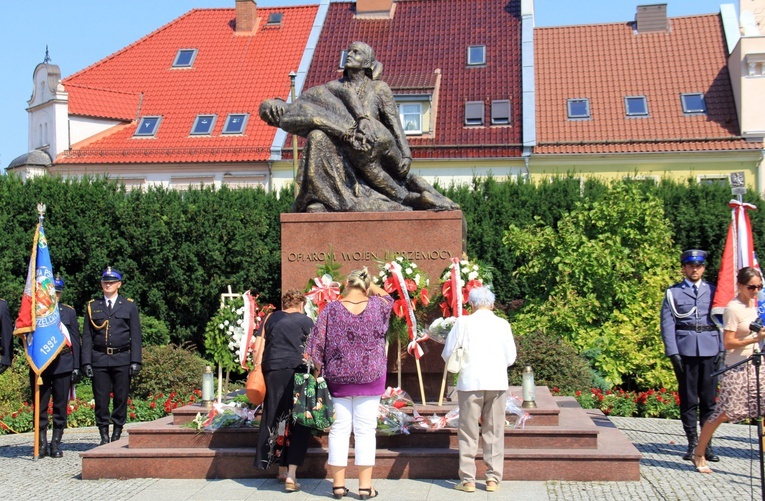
(39, 323)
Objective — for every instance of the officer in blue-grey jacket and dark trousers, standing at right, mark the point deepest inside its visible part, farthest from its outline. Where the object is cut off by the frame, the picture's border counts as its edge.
(693, 344)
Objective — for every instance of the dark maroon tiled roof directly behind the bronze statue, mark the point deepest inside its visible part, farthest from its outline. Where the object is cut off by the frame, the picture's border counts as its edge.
(426, 35)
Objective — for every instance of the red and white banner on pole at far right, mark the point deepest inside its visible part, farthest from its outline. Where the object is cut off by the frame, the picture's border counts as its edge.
(738, 253)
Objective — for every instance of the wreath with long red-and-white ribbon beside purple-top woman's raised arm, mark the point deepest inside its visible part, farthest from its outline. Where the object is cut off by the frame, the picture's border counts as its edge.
(408, 285)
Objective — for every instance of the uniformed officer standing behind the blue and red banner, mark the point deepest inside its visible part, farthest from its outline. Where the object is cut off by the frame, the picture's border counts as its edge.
(58, 378)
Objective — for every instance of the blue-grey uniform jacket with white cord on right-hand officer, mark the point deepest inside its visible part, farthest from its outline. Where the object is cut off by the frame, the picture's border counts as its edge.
(694, 335)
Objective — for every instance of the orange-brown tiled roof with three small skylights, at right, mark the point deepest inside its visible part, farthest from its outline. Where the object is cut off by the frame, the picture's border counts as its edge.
(608, 62)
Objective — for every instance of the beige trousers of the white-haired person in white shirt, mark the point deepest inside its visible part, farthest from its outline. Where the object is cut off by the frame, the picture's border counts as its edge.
(489, 407)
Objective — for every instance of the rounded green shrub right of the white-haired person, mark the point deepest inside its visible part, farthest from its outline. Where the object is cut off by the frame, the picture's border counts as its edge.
(554, 361)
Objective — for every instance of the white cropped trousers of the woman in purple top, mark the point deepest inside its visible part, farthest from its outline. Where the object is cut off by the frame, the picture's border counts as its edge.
(357, 415)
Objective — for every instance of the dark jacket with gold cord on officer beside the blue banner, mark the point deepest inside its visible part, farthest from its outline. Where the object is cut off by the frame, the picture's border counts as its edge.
(111, 340)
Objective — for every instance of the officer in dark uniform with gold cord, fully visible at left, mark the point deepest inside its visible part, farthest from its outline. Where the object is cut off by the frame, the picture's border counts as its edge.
(111, 352)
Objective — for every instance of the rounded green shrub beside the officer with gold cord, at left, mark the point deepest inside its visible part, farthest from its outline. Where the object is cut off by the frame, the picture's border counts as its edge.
(168, 369)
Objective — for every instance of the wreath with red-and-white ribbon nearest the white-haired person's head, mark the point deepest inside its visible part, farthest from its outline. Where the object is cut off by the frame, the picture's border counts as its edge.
(456, 282)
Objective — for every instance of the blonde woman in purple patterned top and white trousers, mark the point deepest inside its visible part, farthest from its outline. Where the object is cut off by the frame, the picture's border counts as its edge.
(348, 345)
